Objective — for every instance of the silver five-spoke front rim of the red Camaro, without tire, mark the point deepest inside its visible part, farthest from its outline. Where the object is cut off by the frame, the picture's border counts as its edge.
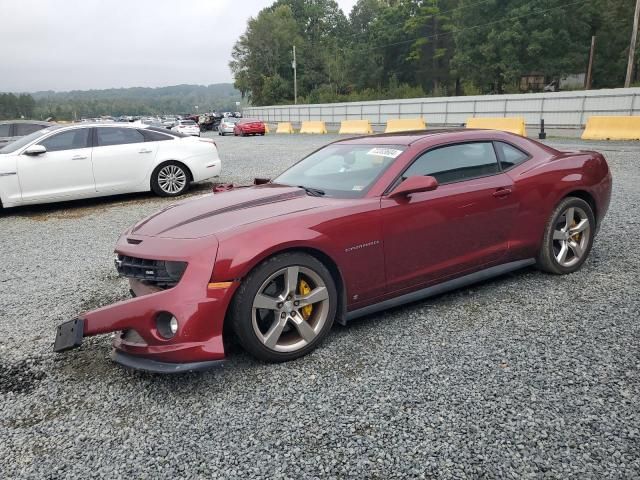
(280, 313)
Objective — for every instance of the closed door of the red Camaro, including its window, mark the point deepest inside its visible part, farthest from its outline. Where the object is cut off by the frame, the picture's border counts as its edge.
(460, 226)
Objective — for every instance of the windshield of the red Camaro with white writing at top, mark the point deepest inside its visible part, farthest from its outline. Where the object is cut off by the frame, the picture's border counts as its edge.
(341, 170)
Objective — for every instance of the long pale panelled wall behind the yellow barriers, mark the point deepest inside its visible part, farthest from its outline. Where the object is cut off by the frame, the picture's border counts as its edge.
(559, 109)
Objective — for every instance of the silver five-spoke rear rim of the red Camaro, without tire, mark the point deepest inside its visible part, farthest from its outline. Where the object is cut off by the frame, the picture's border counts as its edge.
(571, 236)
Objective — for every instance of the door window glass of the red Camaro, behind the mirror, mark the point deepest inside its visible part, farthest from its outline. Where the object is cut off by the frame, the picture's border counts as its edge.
(455, 163)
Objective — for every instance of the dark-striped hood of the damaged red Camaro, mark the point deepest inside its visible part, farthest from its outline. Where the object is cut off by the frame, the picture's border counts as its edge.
(214, 213)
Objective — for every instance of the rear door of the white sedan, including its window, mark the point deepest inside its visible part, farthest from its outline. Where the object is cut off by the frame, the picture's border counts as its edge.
(122, 159)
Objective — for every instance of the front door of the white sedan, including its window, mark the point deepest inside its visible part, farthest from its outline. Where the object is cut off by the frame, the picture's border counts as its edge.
(63, 171)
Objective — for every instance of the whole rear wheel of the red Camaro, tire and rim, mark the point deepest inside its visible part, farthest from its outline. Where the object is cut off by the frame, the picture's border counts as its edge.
(568, 237)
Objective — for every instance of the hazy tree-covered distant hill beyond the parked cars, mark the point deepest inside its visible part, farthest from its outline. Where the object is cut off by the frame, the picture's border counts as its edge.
(136, 101)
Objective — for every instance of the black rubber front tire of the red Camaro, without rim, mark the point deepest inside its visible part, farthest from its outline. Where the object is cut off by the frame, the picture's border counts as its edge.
(242, 312)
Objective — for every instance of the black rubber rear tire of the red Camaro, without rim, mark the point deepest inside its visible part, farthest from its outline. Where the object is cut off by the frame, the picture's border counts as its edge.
(547, 260)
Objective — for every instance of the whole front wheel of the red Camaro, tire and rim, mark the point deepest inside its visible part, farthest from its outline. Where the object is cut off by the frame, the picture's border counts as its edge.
(285, 307)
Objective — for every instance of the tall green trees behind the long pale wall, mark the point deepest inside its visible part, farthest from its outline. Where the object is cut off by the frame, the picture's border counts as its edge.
(407, 48)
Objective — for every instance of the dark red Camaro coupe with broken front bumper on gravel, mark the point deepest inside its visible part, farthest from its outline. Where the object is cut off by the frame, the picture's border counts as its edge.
(360, 225)
